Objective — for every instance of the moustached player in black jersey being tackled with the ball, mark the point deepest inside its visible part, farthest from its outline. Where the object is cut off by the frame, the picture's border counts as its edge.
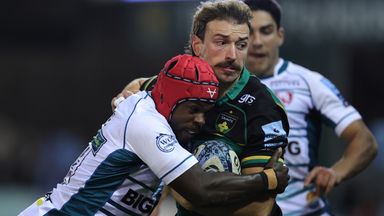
(247, 115)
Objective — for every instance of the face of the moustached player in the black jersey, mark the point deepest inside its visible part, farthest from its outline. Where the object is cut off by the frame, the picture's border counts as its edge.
(224, 47)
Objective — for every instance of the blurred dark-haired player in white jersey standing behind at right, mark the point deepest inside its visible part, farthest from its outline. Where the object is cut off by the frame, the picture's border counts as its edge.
(310, 100)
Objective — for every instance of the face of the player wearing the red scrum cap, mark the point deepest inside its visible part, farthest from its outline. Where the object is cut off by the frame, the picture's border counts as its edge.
(188, 118)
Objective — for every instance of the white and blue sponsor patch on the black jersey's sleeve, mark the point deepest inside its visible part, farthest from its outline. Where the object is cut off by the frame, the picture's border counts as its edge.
(274, 134)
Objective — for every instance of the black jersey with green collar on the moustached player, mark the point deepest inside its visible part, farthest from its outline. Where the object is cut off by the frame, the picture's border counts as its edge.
(251, 118)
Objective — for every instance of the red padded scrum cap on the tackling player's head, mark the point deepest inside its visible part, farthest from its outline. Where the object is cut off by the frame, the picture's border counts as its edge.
(184, 78)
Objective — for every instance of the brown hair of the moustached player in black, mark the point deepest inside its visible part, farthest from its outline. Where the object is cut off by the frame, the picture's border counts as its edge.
(229, 10)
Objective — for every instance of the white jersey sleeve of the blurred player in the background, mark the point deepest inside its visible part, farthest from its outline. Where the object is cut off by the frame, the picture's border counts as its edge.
(331, 104)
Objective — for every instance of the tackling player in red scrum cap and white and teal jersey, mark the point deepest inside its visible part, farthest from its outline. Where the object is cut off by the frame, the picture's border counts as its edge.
(119, 171)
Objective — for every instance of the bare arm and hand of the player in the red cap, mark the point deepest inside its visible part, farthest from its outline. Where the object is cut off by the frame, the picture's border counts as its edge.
(211, 189)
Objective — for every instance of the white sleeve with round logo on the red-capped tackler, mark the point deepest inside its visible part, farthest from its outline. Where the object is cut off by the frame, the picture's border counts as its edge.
(153, 140)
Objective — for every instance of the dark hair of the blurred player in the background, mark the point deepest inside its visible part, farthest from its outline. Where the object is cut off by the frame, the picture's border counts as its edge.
(270, 6)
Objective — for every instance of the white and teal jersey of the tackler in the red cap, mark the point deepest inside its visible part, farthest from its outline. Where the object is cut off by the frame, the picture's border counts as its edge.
(120, 170)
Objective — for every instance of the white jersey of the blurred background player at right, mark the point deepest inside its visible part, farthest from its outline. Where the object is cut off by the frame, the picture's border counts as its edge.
(310, 100)
